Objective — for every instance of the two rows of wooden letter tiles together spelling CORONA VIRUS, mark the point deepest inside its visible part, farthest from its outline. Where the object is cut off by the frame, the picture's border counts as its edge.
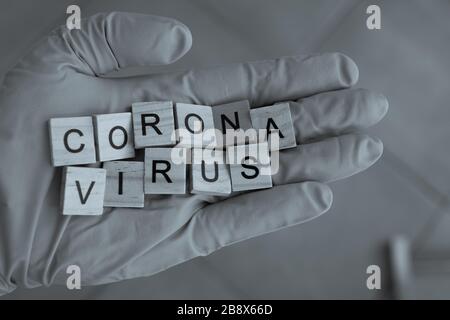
(188, 148)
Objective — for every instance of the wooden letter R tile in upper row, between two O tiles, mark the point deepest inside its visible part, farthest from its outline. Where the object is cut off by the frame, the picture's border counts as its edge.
(154, 124)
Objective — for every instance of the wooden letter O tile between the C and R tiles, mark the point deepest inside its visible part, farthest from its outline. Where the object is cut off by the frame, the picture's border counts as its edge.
(114, 135)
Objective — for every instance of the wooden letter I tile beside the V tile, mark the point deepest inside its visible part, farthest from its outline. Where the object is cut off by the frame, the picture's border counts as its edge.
(124, 184)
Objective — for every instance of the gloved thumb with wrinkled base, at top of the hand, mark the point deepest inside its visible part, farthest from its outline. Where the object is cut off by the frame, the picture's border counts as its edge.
(107, 42)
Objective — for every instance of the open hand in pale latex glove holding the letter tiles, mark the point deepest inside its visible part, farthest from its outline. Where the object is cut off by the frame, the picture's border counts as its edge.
(62, 77)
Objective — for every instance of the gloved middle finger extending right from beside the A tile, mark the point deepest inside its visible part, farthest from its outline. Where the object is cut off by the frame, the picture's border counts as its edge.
(336, 112)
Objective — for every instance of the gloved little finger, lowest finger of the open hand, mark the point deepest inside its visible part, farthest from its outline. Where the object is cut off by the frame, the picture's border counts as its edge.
(256, 213)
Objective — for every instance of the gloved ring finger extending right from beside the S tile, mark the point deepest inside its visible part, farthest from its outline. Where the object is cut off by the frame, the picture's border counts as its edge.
(327, 160)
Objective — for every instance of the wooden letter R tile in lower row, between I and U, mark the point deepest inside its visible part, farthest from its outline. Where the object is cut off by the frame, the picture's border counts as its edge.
(165, 170)
